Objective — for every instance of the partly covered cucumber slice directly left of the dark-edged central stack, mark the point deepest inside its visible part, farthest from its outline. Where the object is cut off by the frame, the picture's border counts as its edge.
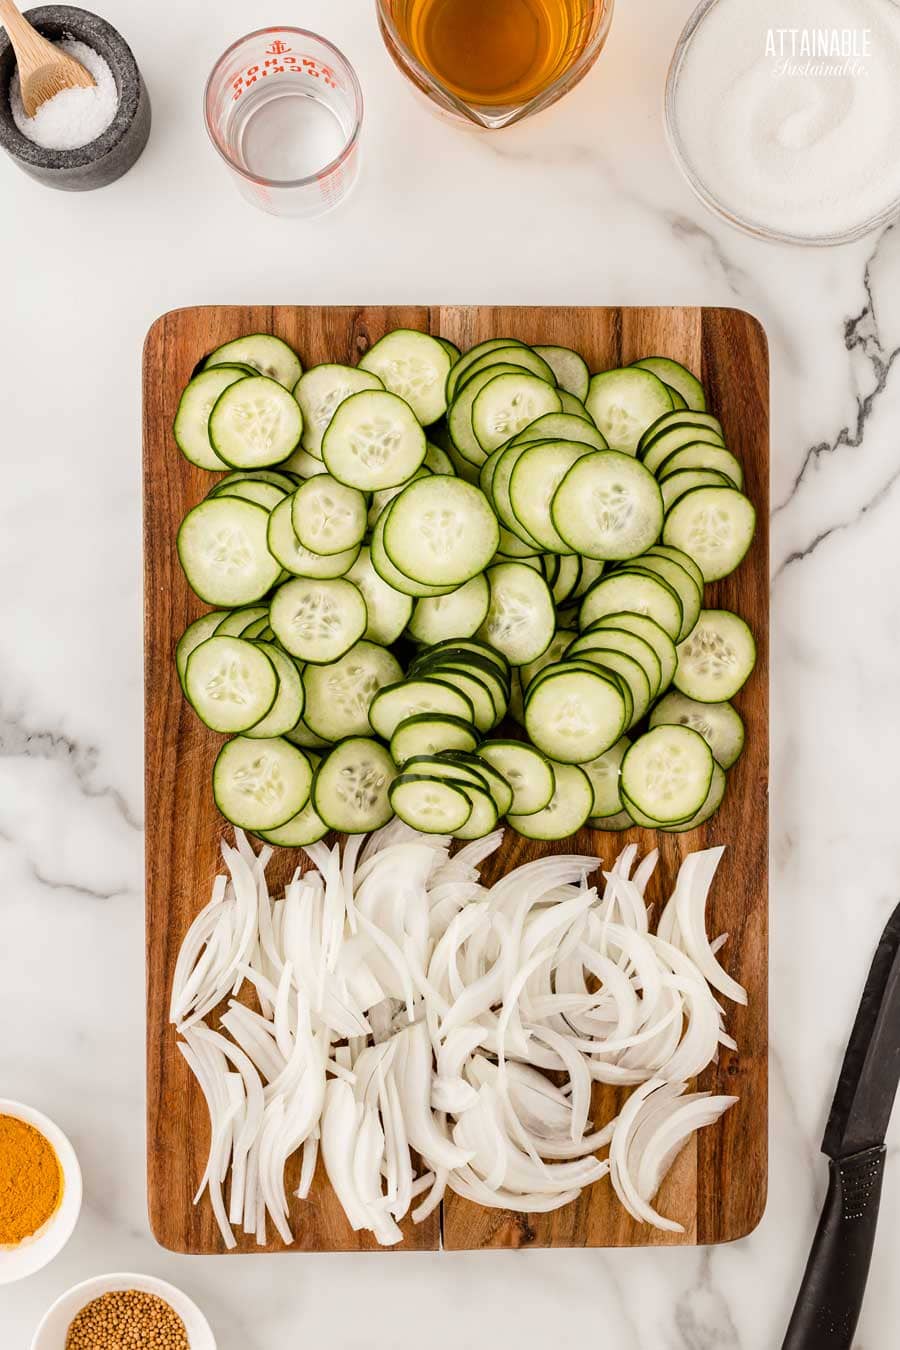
(341, 695)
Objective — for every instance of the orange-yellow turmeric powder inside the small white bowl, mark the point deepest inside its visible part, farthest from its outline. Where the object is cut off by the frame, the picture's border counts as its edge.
(30, 1181)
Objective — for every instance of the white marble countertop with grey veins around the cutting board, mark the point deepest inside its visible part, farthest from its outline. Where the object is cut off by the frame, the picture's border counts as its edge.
(581, 206)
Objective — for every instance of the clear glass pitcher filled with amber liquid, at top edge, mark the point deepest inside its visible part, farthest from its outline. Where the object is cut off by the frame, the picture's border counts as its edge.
(493, 63)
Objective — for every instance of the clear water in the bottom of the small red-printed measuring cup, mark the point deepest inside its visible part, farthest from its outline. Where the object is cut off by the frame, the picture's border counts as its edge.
(283, 133)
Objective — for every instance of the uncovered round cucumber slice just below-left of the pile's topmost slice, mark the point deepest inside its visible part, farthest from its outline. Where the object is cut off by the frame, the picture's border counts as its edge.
(373, 441)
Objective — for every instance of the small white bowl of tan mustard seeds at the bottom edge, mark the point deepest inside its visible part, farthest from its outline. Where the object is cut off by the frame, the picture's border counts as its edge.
(117, 1312)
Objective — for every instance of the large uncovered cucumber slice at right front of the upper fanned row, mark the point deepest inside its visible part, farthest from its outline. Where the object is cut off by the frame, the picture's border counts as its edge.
(608, 507)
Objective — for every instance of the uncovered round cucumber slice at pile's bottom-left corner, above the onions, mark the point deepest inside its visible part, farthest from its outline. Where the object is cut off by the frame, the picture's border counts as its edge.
(261, 785)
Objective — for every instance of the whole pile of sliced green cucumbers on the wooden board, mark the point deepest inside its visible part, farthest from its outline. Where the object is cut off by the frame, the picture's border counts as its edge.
(412, 556)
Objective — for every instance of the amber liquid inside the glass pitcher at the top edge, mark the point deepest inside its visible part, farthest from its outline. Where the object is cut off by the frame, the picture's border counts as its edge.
(497, 53)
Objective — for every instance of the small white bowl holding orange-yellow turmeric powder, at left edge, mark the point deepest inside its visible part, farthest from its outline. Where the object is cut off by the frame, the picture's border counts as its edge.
(40, 1191)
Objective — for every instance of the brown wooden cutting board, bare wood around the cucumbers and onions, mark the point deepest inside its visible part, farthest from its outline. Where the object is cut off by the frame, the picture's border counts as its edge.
(720, 1183)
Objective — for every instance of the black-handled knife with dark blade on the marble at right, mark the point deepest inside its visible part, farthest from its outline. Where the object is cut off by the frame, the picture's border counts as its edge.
(828, 1307)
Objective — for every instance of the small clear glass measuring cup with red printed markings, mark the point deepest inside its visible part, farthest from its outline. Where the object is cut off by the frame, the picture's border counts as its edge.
(284, 109)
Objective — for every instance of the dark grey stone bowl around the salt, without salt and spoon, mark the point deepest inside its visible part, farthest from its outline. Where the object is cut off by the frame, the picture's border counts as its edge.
(117, 149)
